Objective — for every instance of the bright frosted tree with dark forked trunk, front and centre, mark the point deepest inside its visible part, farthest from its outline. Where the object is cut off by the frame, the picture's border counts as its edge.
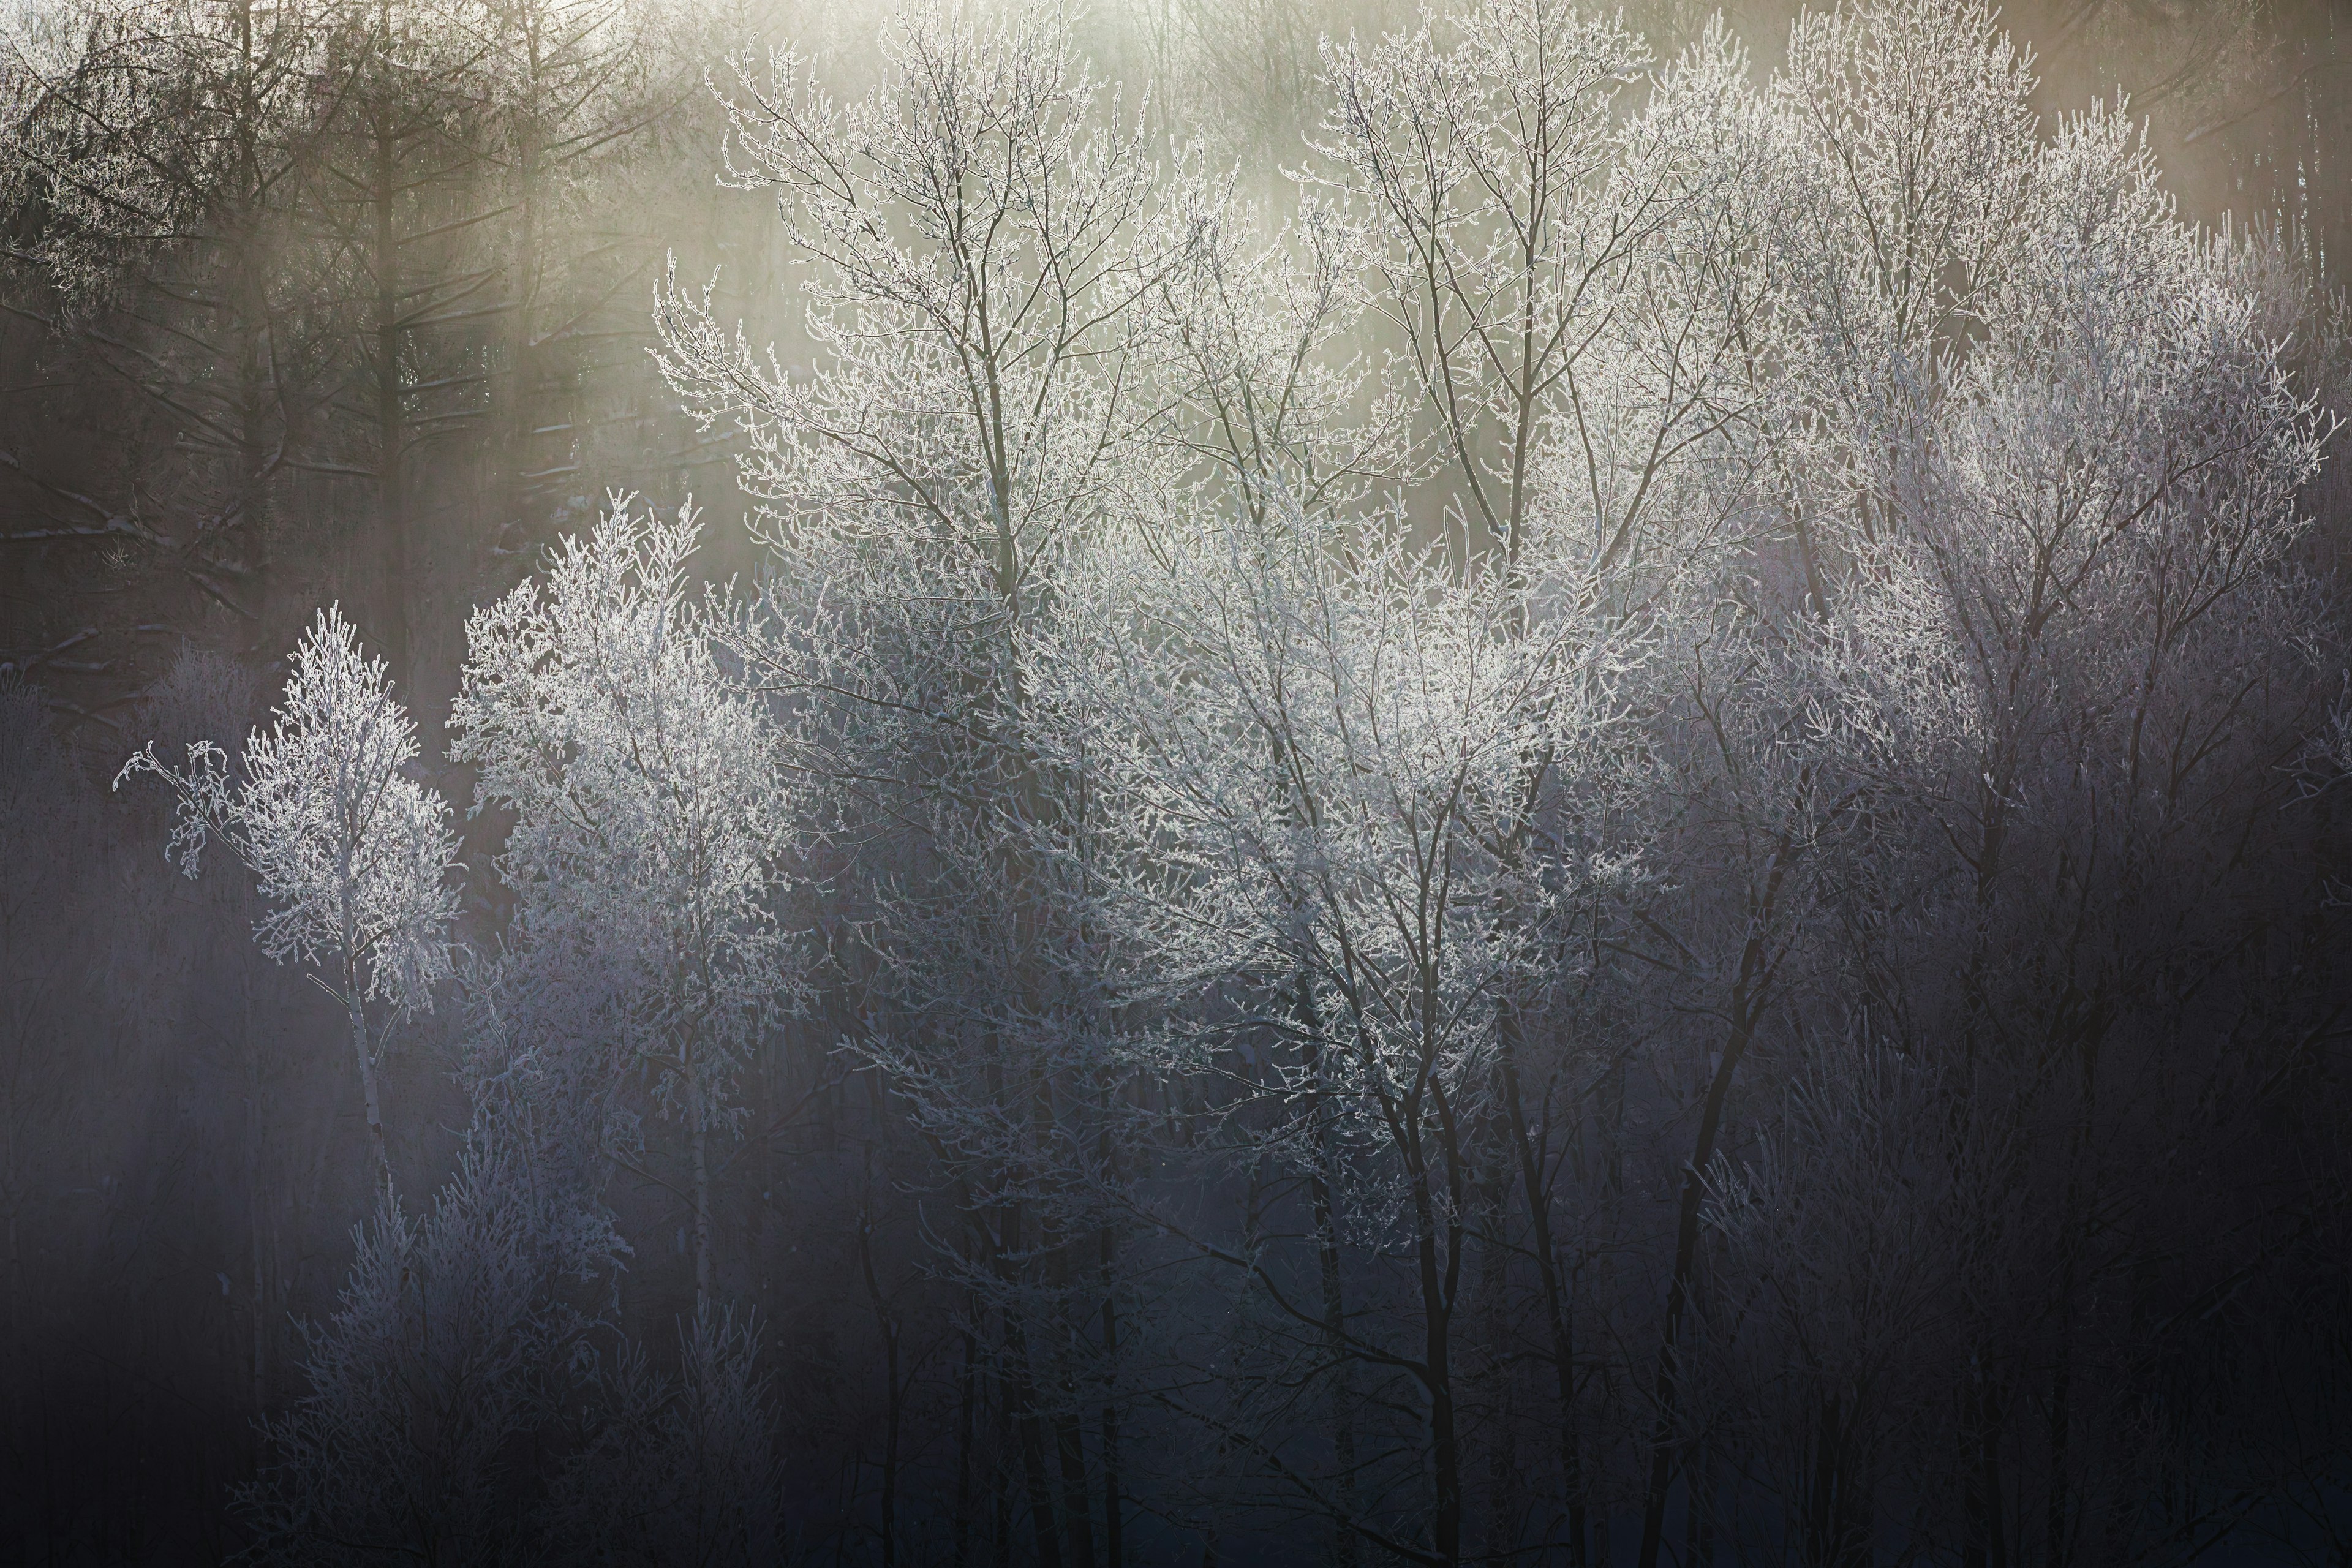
(1321, 742)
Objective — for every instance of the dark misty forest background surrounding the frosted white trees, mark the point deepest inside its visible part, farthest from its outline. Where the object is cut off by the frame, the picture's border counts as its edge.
(354, 302)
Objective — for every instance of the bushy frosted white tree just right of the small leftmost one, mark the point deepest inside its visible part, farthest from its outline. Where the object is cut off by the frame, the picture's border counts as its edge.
(650, 819)
